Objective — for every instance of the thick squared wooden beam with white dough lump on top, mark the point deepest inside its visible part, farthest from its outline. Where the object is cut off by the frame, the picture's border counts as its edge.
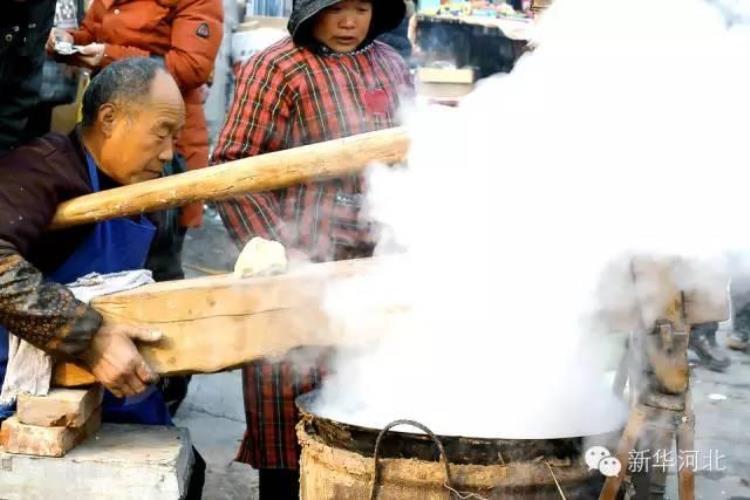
(221, 322)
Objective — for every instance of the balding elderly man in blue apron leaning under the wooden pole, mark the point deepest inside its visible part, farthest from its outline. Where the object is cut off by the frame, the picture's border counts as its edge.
(132, 113)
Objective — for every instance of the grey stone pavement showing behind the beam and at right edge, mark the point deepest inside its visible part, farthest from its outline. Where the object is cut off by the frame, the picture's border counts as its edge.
(214, 415)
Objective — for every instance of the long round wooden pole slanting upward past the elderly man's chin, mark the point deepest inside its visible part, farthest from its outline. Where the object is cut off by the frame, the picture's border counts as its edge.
(257, 173)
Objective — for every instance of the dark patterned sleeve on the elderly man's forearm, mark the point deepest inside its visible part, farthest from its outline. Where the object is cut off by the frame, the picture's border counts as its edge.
(43, 313)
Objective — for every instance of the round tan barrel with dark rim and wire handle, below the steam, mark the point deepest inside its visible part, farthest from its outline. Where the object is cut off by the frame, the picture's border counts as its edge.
(337, 463)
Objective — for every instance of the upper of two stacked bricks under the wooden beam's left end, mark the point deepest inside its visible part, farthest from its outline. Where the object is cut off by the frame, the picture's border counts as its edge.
(60, 408)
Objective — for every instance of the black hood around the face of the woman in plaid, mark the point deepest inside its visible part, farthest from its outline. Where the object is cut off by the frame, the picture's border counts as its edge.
(386, 15)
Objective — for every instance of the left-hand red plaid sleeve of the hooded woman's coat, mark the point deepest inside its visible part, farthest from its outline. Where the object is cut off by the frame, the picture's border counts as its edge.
(259, 121)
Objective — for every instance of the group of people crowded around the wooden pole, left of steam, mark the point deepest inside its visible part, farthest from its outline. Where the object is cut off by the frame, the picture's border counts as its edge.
(141, 117)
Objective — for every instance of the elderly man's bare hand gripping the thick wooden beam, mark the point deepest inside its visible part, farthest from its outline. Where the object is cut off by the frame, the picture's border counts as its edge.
(115, 361)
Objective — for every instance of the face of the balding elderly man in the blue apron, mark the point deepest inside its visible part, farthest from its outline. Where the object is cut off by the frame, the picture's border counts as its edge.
(142, 135)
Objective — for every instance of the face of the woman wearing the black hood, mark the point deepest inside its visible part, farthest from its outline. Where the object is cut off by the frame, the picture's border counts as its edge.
(344, 26)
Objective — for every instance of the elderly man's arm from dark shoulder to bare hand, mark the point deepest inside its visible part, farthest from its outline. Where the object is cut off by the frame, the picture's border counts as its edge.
(46, 314)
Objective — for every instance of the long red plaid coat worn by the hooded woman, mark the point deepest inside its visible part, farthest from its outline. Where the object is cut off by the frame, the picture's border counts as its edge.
(289, 96)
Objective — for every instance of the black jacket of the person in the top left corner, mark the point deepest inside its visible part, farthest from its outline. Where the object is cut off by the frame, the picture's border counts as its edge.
(24, 28)
